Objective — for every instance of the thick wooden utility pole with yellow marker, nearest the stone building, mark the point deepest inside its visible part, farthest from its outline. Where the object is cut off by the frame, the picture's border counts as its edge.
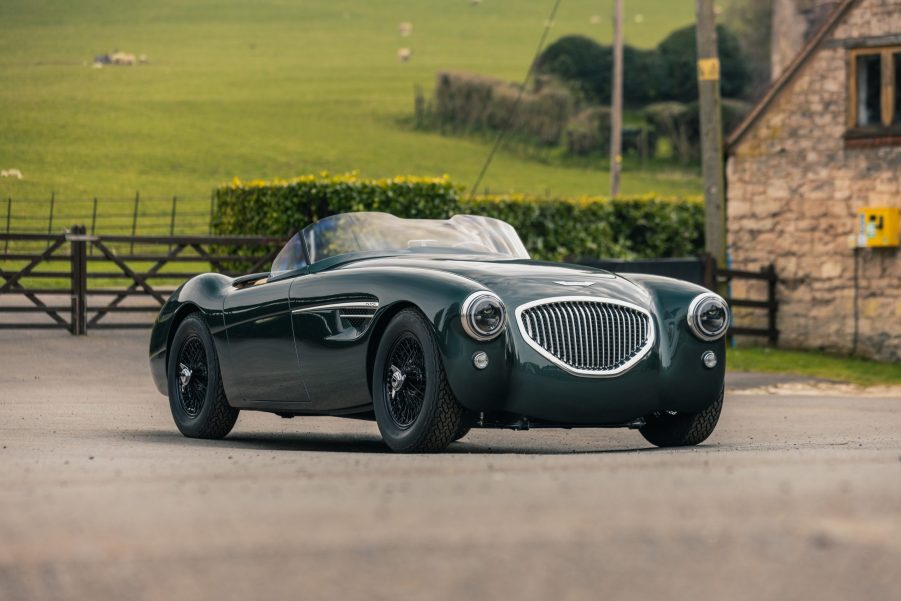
(711, 132)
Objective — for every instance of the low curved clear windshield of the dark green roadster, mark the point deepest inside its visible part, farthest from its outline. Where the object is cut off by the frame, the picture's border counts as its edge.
(367, 232)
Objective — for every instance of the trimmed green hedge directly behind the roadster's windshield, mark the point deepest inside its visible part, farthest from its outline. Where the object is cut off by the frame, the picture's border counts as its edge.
(551, 228)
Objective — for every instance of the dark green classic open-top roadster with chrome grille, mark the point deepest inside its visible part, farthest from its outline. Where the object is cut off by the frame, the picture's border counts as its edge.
(434, 327)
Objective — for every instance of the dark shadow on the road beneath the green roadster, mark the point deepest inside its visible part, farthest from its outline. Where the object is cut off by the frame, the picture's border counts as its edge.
(371, 444)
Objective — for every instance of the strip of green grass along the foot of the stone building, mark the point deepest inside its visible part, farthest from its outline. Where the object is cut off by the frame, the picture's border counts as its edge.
(816, 364)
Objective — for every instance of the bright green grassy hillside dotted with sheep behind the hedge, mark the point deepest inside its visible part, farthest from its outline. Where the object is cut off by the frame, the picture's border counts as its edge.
(271, 88)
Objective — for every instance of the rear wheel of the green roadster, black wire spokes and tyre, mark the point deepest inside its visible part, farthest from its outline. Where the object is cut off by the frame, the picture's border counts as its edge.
(196, 396)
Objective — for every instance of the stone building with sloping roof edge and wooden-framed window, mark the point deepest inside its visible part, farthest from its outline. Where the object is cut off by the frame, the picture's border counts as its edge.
(824, 141)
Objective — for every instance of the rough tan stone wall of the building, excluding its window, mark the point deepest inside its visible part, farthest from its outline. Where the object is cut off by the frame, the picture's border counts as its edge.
(793, 192)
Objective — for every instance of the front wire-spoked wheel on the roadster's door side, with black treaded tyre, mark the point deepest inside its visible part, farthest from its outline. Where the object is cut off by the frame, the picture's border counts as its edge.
(415, 409)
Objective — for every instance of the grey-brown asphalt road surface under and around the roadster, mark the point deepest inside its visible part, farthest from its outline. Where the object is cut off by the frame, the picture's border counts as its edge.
(796, 496)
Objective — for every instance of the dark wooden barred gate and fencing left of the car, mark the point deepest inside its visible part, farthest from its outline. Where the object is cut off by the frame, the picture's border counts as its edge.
(78, 298)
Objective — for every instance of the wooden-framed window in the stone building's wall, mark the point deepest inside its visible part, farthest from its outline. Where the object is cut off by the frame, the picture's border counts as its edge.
(875, 101)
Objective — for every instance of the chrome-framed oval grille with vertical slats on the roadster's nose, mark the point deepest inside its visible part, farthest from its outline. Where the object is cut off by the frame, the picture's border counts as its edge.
(587, 335)
